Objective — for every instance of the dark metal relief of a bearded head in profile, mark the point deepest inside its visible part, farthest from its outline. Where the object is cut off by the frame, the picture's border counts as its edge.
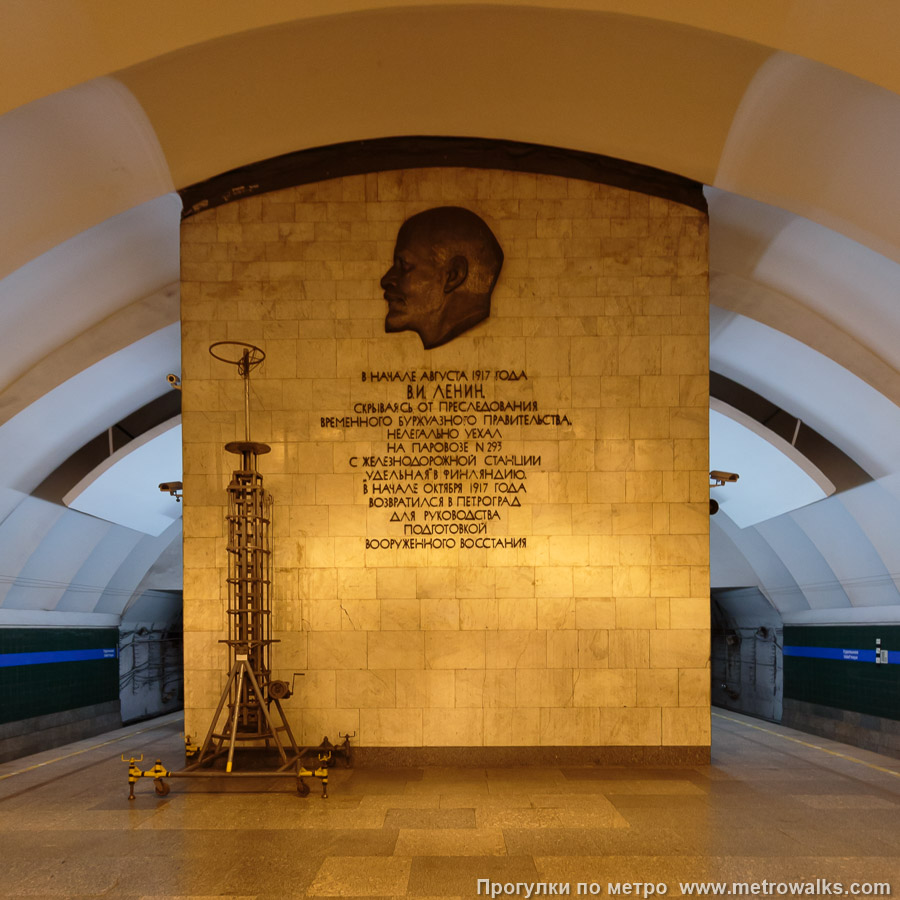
(446, 263)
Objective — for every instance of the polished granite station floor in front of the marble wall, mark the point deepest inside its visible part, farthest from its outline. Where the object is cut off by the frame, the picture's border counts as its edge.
(775, 805)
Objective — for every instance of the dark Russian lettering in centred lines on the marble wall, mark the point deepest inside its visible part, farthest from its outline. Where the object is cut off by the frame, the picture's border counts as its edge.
(451, 454)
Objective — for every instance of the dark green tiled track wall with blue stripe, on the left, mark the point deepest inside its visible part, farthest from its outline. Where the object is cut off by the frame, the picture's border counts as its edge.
(37, 690)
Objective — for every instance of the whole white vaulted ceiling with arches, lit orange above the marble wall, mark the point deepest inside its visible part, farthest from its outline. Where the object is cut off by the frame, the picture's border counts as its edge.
(788, 111)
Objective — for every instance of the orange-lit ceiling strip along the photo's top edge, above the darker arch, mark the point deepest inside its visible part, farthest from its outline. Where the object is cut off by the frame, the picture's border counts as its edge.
(58, 43)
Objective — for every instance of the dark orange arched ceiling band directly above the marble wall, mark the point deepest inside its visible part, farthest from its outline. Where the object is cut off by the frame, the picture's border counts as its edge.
(617, 85)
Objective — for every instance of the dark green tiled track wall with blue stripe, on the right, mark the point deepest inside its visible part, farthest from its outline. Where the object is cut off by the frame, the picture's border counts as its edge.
(858, 686)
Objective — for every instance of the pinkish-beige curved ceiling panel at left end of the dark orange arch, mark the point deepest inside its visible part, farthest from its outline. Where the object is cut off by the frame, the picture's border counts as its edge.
(70, 161)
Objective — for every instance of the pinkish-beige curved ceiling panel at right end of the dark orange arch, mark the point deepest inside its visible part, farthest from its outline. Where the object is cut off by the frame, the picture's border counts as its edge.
(809, 138)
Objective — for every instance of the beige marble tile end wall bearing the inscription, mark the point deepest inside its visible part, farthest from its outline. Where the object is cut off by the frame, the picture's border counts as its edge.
(539, 579)
